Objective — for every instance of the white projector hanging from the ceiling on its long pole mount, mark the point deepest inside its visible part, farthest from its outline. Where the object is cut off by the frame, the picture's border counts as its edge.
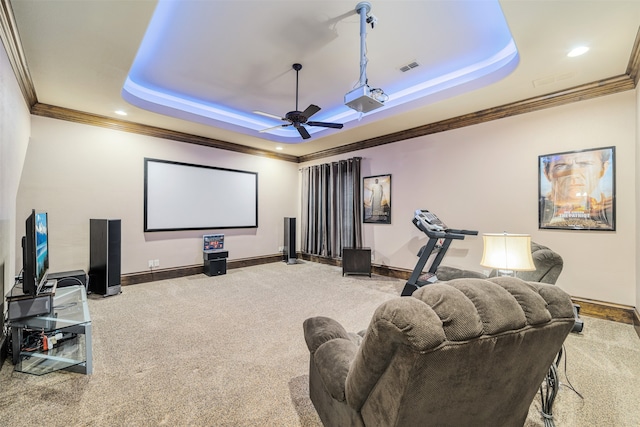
(364, 99)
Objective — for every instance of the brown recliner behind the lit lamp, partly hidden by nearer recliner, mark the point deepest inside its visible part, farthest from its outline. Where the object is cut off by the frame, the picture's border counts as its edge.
(547, 262)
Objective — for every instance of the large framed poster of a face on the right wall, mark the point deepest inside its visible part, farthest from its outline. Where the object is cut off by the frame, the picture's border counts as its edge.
(576, 190)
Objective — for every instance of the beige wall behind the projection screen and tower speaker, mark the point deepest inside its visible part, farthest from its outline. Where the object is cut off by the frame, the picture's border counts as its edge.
(76, 172)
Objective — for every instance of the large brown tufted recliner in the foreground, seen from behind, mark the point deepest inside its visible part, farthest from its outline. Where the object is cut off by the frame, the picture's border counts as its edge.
(468, 352)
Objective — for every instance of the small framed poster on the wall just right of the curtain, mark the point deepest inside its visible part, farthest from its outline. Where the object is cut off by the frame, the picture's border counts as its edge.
(376, 199)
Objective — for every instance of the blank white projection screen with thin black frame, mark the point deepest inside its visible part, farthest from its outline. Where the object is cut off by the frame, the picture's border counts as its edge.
(182, 196)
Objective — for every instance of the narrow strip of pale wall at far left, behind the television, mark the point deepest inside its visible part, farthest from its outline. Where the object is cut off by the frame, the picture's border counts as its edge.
(14, 138)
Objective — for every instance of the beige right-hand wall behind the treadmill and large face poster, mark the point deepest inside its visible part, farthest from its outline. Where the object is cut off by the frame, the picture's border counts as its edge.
(485, 178)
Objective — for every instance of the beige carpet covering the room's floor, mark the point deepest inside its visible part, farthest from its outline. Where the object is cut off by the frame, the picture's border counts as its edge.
(229, 351)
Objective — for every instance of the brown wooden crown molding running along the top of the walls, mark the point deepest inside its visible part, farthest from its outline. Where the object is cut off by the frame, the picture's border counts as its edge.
(11, 40)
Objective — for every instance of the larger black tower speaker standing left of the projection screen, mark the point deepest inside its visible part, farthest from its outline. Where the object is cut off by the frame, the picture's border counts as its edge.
(104, 256)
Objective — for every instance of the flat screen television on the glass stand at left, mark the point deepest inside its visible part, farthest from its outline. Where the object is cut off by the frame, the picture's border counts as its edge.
(35, 253)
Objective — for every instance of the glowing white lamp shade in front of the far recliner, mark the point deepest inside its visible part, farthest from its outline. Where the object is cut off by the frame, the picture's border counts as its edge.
(507, 252)
